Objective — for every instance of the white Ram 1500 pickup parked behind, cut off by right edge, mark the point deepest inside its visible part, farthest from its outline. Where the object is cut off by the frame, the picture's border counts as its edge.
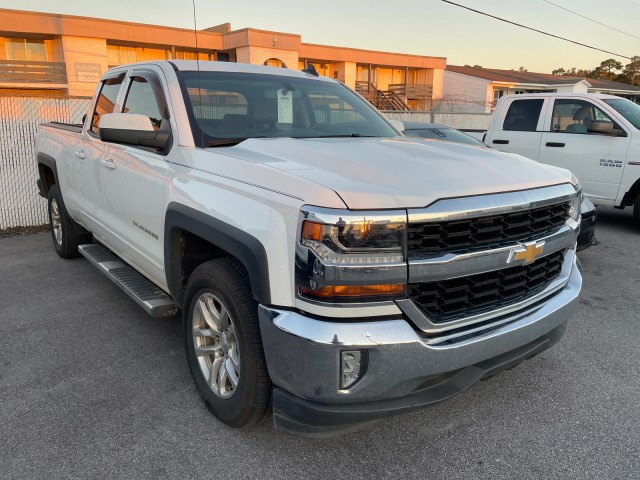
(597, 137)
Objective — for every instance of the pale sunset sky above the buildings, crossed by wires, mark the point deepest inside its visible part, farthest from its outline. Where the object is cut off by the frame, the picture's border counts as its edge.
(426, 27)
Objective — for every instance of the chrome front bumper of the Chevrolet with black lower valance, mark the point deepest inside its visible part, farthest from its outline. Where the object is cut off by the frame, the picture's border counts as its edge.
(303, 358)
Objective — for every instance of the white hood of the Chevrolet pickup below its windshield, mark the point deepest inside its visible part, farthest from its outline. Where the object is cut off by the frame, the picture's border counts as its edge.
(378, 173)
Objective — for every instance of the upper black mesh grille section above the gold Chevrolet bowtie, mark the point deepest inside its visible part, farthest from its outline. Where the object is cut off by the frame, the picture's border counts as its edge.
(430, 239)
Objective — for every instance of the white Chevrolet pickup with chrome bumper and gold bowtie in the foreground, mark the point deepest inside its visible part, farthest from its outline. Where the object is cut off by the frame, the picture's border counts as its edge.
(325, 265)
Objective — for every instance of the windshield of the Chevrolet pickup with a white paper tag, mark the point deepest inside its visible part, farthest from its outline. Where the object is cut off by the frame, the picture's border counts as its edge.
(226, 108)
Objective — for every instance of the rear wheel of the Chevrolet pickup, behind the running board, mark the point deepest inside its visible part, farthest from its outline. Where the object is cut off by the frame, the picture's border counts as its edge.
(65, 233)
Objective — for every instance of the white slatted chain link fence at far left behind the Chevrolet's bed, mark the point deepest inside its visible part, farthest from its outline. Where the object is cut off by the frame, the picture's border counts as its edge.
(20, 204)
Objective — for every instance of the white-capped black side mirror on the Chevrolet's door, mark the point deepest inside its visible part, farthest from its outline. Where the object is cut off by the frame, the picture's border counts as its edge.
(132, 129)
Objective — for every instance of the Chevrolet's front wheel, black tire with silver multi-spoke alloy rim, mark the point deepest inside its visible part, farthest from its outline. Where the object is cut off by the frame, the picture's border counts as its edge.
(212, 286)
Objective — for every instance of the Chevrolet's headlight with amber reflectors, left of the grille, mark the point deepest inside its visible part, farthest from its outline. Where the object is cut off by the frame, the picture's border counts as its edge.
(347, 256)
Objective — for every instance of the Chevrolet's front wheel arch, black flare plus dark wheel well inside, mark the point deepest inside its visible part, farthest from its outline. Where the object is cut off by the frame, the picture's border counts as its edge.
(187, 227)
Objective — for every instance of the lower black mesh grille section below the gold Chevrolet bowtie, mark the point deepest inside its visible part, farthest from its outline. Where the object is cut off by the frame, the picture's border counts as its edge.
(448, 300)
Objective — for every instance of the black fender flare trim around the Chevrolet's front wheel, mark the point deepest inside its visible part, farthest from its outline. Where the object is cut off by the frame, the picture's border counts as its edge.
(247, 249)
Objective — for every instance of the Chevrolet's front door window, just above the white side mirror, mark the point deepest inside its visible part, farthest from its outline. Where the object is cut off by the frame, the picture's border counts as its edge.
(145, 97)
